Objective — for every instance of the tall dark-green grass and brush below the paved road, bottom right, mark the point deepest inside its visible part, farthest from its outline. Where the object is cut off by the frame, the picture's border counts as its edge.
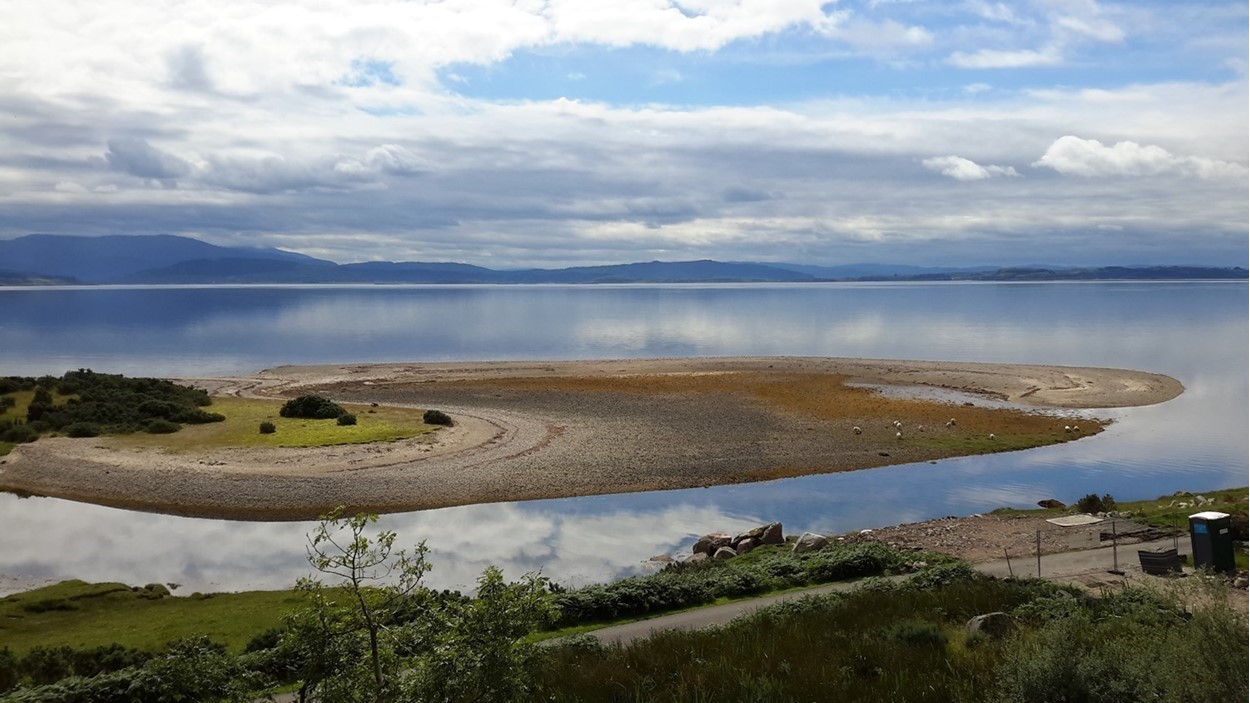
(911, 644)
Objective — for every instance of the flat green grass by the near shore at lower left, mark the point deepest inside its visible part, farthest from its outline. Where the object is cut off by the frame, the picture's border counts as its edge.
(93, 615)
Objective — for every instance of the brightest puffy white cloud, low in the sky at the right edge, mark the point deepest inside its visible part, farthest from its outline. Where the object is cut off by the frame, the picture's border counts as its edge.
(1091, 158)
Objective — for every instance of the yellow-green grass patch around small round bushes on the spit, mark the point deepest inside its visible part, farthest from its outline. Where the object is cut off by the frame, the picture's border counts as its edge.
(244, 417)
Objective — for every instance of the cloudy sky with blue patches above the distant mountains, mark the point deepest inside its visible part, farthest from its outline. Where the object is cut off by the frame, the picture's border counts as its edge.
(556, 133)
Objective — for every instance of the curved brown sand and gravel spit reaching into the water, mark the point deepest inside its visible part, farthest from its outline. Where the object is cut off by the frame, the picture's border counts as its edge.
(531, 430)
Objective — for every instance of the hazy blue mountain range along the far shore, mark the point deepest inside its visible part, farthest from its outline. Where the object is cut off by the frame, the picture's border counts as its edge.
(44, 260)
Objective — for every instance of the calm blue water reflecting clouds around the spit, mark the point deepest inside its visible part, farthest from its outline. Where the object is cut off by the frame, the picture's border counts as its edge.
(1196, 332)
